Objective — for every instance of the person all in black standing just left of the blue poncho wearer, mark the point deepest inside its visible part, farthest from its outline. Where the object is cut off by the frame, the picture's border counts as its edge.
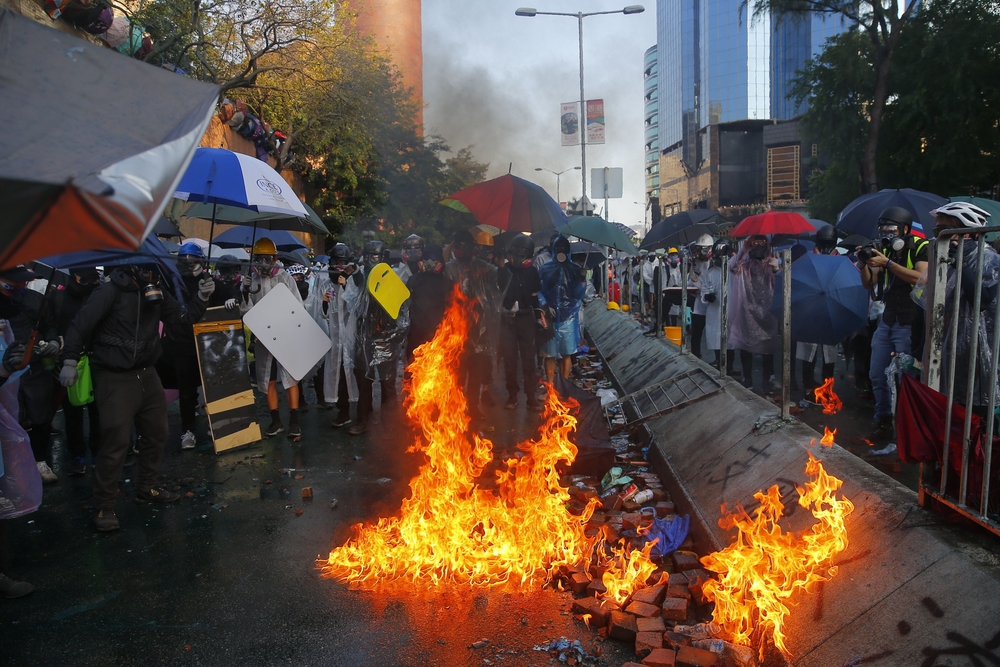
(517, 326)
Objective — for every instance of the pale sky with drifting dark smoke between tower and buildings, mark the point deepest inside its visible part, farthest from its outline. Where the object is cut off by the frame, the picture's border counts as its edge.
(495, 81)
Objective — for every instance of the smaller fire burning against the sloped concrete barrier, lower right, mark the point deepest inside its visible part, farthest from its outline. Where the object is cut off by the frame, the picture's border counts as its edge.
(765, 566)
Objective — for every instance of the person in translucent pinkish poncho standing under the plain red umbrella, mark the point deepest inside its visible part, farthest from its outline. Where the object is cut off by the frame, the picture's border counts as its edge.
(753, 329)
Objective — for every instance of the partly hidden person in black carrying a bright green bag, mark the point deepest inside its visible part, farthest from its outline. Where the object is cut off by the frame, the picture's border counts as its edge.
(66, 303)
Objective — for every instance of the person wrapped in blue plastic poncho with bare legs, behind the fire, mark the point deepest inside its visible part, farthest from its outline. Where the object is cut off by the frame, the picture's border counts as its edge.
(562, 293)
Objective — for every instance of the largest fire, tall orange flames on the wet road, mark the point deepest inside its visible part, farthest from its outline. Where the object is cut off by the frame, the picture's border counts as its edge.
(451, 529)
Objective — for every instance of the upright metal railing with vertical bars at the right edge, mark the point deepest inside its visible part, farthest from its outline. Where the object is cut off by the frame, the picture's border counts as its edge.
(943, 314)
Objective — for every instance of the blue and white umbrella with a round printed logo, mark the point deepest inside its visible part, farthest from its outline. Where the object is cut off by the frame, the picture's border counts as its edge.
(218, 176)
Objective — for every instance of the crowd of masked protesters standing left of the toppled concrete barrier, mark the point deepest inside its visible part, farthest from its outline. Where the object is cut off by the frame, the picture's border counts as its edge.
(136, 332)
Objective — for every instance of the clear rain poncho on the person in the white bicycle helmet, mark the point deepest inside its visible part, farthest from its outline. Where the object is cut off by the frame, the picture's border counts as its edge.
(984, 351)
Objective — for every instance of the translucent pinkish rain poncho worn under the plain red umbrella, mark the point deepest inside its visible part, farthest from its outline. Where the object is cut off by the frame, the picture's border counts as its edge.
(752, 327)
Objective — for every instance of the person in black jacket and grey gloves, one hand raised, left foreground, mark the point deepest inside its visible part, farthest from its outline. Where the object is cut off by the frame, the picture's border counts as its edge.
(120, 326)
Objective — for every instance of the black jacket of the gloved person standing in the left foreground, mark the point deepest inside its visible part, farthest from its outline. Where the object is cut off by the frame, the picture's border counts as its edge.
(121, 330)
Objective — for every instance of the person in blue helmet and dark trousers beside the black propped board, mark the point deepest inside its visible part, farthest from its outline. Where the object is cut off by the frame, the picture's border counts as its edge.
(181, 349)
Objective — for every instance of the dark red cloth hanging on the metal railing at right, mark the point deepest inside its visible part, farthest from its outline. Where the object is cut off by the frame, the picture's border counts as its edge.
(920, 414)
